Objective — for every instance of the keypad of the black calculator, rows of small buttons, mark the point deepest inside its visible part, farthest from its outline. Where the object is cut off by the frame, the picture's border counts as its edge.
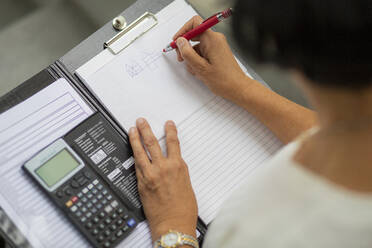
(99, 212)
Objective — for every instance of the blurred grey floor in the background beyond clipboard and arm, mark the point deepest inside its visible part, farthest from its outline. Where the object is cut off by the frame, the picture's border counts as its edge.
(35, 33)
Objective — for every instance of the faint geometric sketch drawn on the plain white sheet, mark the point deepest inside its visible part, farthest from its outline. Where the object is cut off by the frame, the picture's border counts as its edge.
(144, 60)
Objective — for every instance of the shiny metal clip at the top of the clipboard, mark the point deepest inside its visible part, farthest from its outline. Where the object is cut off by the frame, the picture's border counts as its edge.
(131, 33)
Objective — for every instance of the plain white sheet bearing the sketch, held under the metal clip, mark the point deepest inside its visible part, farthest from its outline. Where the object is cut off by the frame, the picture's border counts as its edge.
(142, 81)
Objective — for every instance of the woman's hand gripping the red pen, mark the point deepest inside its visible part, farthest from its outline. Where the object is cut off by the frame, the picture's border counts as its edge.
(211, 61)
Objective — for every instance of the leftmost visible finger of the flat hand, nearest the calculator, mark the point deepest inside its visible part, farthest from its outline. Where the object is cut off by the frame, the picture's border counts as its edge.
(139, 152)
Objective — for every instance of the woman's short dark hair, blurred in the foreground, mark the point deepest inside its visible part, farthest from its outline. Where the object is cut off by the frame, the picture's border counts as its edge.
(330, 41)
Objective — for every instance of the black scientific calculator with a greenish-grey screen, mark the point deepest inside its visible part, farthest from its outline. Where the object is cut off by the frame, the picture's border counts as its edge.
(86, 199)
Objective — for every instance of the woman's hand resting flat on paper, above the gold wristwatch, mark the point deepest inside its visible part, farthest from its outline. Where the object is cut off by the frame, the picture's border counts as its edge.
(163, 182)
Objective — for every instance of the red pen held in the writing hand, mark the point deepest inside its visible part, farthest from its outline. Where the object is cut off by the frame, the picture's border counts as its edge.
(205, 25)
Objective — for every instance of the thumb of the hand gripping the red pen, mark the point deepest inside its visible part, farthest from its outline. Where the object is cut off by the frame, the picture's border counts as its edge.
(190, 55)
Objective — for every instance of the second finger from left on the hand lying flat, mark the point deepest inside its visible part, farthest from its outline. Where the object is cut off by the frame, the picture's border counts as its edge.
(149, 139)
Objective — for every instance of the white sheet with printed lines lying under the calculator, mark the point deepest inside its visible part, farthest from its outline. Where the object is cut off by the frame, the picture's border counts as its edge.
(24, 130)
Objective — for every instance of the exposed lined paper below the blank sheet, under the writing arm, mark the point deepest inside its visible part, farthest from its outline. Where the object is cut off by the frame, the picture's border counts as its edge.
(222, 144)
